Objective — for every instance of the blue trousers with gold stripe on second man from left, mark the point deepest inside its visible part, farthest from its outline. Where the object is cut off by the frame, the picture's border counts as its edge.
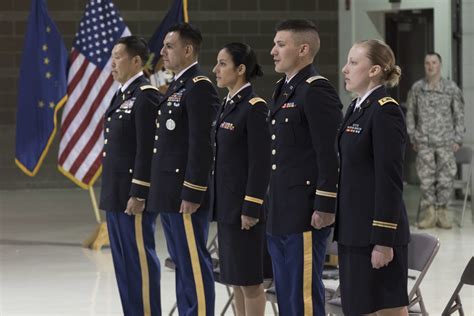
(186, 238)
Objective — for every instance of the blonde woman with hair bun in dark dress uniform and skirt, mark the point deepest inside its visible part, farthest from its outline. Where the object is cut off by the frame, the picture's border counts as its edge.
(372, 229)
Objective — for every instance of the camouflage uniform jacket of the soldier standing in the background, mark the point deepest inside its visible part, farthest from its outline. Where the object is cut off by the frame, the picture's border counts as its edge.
(435, 116)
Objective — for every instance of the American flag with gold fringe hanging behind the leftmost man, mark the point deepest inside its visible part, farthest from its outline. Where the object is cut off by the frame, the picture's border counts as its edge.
(90, 89)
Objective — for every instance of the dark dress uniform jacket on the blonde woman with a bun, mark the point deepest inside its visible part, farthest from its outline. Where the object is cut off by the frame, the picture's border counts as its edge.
(371, 145)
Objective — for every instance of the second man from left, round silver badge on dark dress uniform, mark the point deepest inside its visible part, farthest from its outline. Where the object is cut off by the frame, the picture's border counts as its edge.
(182, 159)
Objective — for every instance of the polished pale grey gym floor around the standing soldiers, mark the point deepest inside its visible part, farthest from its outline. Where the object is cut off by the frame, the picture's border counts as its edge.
(45, 271)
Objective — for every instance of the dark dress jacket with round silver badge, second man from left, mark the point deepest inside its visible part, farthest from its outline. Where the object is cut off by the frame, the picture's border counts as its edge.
(182, 153)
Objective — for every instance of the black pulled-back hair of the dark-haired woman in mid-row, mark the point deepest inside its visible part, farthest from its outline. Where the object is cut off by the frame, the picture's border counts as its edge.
(243, 54)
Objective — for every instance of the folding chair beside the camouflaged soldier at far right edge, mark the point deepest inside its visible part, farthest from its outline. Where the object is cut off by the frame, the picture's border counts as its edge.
(464, 157)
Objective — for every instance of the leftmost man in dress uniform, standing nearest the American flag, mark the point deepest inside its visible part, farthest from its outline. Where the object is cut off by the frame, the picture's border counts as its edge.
(129, 128)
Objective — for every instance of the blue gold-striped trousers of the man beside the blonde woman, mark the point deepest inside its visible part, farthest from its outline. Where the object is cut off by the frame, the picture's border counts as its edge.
(297, 261)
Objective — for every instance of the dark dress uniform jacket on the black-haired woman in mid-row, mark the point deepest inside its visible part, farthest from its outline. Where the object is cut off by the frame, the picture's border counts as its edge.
(242, 158)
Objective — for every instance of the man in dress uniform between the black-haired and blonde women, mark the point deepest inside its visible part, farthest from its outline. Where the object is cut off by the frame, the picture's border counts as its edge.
(304, 118)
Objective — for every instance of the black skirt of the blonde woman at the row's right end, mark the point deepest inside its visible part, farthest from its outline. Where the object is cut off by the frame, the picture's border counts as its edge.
(365, 290)
